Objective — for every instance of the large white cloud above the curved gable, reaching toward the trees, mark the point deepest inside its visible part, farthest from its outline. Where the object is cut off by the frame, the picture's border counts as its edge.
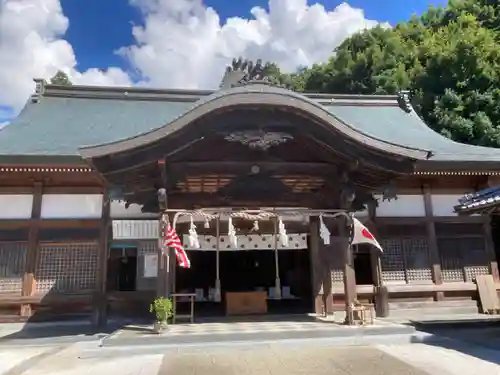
(183, 44)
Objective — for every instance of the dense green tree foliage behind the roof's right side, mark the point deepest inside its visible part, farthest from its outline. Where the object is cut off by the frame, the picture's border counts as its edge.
(449, 59)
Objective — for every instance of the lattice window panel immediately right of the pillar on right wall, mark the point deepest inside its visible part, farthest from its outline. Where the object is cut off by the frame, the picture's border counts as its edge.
(451, 262)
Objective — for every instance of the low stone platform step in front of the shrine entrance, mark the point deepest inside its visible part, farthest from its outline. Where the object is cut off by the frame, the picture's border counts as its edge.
(215, 333)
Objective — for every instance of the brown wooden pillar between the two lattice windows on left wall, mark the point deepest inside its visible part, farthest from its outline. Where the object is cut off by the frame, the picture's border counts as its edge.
(29, 282)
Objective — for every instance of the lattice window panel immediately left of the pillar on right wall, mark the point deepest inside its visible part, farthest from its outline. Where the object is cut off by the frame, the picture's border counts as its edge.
(416, 254)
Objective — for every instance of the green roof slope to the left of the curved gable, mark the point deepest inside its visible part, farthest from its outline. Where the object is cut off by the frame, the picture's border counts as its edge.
(59, 126)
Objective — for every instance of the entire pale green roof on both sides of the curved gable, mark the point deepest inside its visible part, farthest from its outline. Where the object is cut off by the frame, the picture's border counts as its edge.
(62, 120)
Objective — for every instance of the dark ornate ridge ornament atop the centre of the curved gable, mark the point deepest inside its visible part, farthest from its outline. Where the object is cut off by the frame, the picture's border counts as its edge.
(243, 72)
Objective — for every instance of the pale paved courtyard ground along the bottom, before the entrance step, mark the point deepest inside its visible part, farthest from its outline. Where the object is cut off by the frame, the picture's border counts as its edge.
(273, 359)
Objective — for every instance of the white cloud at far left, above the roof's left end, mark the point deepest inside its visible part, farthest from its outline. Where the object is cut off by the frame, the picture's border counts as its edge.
(31, 46)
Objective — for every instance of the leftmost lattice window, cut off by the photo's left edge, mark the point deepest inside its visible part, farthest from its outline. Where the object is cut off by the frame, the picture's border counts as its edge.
(12, 266)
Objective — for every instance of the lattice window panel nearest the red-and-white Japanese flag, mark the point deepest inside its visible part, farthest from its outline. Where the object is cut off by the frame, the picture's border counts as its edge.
(393, 264)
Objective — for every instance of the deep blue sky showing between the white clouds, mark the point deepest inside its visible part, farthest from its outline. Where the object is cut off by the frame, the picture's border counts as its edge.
(99, 27)
